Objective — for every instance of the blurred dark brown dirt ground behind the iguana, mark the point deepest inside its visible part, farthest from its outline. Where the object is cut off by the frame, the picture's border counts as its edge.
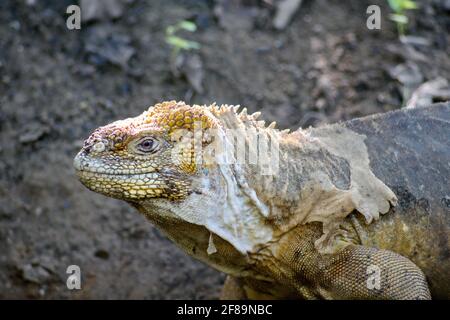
(57, 85)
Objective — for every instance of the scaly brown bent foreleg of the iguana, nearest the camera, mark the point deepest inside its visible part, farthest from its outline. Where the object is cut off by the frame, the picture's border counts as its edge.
(359, 272)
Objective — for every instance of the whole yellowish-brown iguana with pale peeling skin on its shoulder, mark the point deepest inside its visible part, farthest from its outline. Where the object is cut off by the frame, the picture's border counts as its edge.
(353, 210)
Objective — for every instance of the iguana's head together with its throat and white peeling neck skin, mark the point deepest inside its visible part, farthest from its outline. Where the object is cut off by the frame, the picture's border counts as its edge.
(158, 162)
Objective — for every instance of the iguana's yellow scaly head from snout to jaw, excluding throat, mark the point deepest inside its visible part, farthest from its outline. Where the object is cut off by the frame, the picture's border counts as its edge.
(149, 156)
